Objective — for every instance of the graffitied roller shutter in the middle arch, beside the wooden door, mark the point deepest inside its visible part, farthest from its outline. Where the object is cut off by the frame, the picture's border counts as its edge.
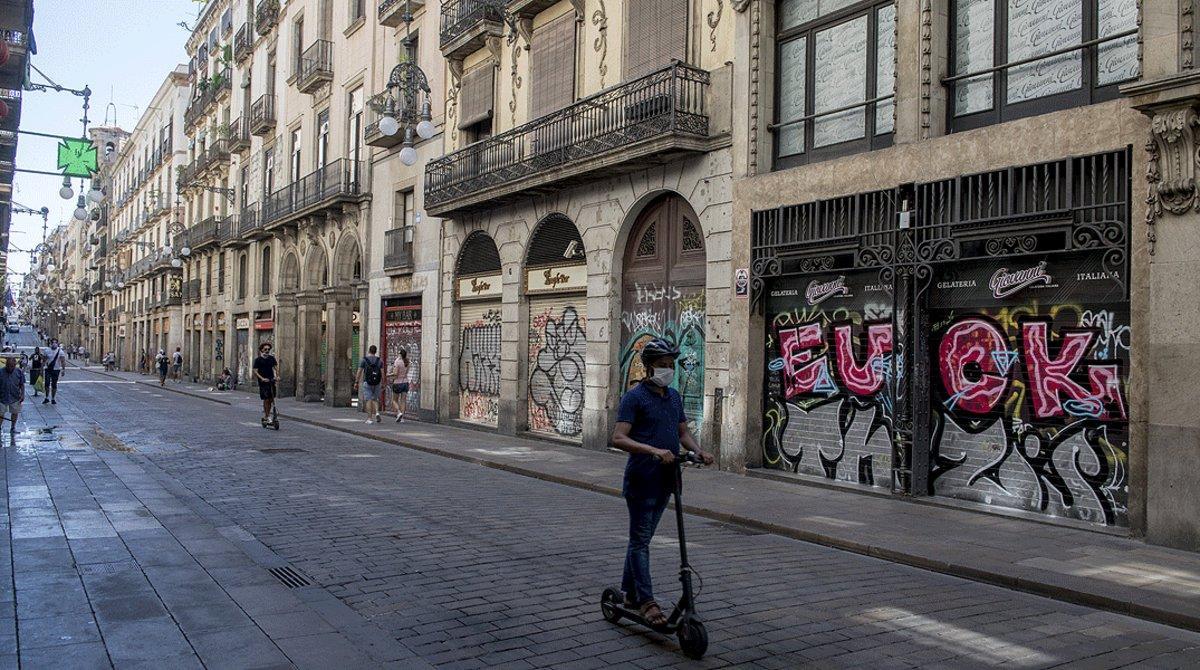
(557, 354)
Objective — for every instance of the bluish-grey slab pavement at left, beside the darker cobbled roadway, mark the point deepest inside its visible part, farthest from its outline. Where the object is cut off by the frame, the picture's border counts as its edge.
(109, 564)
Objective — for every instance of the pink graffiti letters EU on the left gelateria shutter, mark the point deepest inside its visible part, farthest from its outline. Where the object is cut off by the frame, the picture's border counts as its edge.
(805, 354)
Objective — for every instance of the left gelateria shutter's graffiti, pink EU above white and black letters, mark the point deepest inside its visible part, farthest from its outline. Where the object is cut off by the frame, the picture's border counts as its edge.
(831, 375)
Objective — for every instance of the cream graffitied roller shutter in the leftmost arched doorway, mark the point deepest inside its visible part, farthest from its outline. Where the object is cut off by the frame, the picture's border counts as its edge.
(479, 362)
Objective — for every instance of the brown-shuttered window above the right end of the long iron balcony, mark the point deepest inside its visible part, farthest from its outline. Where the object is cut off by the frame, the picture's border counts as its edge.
(656, 35)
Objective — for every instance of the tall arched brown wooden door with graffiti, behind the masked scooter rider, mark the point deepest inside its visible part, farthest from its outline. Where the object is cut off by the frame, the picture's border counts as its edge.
(663, 296)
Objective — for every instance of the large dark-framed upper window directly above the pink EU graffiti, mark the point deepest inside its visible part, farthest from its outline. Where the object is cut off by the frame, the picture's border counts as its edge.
(836, 83)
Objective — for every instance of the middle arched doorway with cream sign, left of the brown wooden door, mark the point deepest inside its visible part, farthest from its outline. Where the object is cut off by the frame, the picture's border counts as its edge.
(556, 286)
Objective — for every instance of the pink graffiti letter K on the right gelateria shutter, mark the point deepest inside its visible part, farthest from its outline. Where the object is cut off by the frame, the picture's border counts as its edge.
(1051, 379)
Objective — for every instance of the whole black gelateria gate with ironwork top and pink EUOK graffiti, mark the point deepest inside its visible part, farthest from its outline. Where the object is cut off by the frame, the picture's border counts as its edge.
(1000, 374)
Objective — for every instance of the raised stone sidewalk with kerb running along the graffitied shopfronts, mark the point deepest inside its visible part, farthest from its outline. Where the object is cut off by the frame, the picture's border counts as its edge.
(1077, 566)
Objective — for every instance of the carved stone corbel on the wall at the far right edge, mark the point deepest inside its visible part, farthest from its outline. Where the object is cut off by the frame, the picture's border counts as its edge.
(1171, 167)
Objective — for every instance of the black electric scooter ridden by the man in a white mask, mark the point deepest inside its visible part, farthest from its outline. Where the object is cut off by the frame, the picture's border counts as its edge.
(683, 621)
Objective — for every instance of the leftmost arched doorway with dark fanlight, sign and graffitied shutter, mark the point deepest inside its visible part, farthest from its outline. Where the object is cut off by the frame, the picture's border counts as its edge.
(478, 291)
